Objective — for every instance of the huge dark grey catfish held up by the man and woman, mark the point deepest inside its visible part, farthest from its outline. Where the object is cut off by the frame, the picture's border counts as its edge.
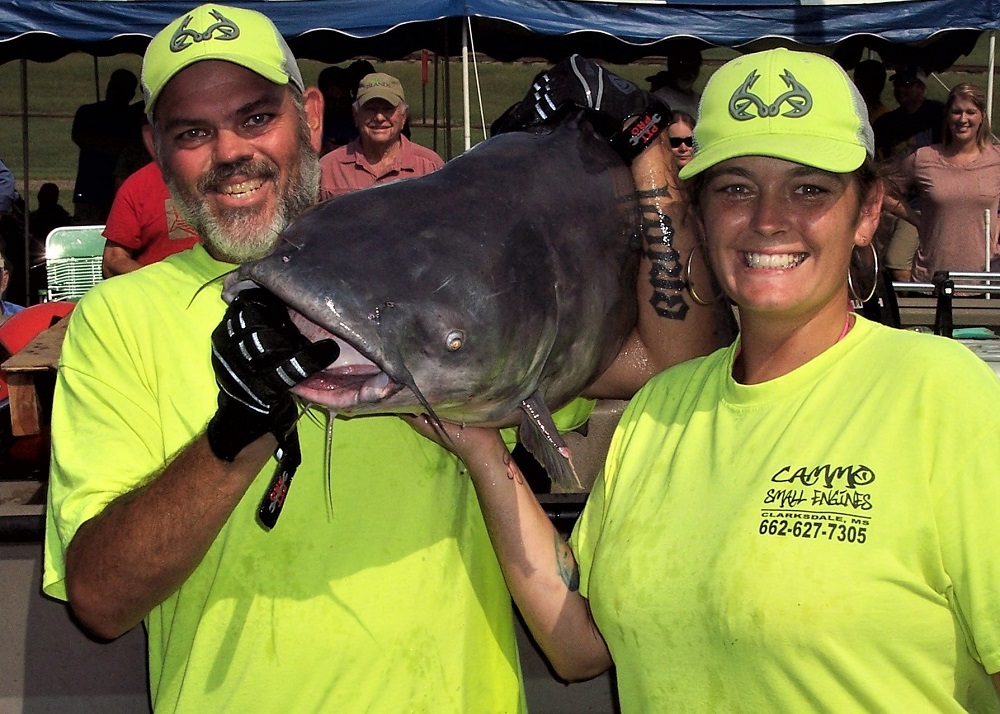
(489, 292)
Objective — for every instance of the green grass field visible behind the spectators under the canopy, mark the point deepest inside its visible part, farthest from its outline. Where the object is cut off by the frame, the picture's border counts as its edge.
(56, 89)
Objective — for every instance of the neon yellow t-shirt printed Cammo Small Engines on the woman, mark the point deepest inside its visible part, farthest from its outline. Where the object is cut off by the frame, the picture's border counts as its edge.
(823, 542)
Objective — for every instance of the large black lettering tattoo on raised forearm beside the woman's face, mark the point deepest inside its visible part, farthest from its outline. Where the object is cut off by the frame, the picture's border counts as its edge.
(665, 273)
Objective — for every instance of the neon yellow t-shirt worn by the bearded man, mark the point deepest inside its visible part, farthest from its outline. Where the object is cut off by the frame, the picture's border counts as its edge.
(391, 601)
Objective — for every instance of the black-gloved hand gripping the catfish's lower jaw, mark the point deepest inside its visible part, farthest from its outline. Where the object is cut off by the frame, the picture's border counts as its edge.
(258, 356)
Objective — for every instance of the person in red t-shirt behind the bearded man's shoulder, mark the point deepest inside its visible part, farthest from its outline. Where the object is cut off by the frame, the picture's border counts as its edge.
(145, 224)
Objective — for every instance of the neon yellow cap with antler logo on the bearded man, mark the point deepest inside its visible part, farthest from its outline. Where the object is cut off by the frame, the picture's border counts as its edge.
(231, 34)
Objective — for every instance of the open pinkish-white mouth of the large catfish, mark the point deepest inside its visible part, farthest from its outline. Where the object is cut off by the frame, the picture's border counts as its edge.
(352, 381)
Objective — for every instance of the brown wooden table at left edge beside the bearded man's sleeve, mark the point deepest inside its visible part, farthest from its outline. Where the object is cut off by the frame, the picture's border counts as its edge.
(38, 357)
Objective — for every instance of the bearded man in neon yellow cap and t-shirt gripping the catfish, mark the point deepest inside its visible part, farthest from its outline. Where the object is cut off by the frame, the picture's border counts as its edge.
(377, 590)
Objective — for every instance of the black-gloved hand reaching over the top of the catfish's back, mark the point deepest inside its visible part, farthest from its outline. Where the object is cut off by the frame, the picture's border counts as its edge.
(619, 110)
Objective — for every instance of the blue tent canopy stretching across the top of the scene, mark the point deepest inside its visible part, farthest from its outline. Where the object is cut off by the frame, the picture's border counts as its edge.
(333, 30)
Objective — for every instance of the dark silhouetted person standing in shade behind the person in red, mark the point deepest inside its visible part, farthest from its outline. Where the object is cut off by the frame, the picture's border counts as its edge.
(102, 130)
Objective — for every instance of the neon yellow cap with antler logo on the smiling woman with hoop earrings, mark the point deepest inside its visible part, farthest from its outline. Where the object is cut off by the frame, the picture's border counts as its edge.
(797, 106)
